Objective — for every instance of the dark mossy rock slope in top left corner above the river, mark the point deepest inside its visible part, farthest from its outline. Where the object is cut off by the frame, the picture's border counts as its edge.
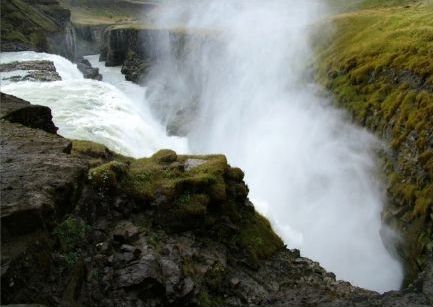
(38, 25)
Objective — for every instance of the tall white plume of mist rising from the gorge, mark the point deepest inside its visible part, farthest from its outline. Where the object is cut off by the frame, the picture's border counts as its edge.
(242, 74)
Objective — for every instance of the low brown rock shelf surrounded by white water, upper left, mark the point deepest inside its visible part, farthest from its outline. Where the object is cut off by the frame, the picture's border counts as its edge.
(41, 71)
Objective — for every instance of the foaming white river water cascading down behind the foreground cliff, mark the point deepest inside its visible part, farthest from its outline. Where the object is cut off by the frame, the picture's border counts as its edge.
(93, 110)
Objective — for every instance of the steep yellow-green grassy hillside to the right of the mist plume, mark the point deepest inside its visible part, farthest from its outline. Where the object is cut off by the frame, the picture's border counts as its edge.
(379, 66)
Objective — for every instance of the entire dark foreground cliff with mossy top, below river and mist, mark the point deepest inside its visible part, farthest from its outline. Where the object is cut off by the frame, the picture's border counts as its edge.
(83, 226)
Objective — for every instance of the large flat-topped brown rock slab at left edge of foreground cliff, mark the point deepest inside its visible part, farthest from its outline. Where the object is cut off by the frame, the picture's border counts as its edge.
(39, 178)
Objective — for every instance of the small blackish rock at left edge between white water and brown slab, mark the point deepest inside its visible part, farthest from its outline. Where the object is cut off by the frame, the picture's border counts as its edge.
(16, 110)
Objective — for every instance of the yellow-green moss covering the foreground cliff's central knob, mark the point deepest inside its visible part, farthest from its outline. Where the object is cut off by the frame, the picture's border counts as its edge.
(205, 198)
